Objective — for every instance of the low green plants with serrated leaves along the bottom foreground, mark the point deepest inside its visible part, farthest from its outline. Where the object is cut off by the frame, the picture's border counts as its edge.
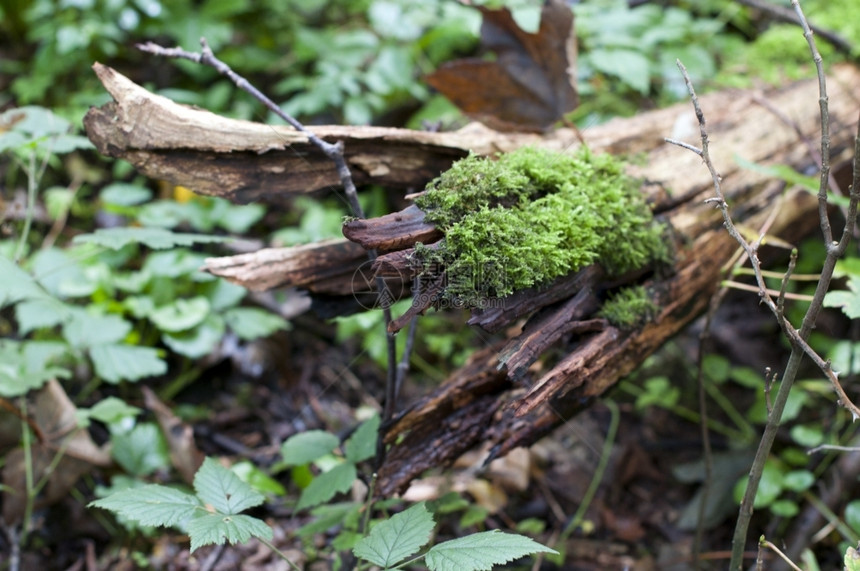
(213, 514)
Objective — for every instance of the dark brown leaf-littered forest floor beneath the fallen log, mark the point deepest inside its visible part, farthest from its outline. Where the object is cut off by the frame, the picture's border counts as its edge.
(640, 517)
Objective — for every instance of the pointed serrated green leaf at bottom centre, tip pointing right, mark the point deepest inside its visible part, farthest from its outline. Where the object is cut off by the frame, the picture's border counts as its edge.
(481, 551)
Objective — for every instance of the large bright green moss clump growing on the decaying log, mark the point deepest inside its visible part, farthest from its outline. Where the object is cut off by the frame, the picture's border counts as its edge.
(533, 215)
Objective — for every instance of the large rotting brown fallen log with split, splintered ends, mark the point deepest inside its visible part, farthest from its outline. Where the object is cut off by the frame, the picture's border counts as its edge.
(480, 403)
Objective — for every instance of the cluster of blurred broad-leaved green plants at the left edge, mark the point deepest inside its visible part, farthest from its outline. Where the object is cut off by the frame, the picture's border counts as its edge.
(104, 299)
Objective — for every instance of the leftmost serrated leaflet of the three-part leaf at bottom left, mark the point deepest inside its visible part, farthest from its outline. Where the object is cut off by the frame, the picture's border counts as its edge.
(151, 505)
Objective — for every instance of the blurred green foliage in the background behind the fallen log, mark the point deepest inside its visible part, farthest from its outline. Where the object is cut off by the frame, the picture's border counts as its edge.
(126, 302)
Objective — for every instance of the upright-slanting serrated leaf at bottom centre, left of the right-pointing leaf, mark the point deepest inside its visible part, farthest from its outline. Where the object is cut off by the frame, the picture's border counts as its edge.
(395, 539)
